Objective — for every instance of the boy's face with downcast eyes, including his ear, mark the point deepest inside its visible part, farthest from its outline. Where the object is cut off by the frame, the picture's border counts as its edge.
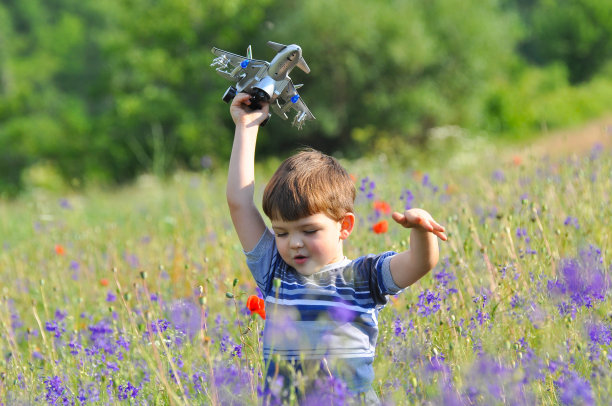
(310, 243)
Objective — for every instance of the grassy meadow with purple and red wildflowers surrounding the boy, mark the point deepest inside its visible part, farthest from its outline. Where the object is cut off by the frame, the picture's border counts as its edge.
(138, 295)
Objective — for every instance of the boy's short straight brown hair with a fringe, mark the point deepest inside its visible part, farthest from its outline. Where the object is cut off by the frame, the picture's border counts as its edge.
(308, 183)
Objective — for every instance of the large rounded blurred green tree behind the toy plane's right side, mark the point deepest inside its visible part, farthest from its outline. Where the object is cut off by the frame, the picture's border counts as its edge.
(393, 68)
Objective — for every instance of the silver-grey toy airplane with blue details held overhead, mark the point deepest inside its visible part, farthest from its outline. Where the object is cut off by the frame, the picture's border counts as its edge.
(266, 81)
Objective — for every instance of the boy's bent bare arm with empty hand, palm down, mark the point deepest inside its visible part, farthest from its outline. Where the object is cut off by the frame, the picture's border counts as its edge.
(409, 266)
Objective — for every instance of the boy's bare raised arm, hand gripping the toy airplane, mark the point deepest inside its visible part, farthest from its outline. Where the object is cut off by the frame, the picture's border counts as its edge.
(241, 174)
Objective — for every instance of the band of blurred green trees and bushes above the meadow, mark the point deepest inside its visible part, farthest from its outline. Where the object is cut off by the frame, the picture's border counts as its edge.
(103, 91)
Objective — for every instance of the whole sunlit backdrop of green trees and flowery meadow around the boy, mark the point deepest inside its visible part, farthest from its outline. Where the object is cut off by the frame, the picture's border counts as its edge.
(122, 280)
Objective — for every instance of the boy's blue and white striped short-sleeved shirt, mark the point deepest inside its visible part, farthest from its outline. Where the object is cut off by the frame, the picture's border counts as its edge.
(331, 314)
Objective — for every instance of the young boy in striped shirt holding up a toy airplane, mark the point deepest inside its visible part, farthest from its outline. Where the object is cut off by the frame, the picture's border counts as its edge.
(321, 308)
